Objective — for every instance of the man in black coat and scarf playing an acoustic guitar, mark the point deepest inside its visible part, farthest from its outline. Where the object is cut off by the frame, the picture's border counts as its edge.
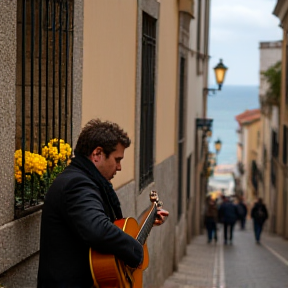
(80, 208)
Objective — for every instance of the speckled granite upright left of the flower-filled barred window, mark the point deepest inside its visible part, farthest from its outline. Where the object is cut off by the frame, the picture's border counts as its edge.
(7, 107)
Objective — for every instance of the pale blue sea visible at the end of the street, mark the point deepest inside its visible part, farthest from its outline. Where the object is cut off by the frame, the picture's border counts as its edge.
(222, 107)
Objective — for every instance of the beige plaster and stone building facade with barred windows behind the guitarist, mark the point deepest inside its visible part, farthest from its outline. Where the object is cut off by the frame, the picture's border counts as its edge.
(142, 64)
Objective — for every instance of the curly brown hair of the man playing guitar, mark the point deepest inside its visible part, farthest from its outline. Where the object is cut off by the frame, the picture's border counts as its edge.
(105, 134)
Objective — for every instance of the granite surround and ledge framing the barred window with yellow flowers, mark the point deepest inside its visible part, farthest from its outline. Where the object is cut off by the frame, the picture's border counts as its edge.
(19, 239)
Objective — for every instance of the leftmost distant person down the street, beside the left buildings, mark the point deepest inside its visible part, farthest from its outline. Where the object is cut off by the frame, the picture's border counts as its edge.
(211, 215)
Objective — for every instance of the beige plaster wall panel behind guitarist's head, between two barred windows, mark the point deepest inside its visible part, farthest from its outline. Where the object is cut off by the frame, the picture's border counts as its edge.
(109, 69)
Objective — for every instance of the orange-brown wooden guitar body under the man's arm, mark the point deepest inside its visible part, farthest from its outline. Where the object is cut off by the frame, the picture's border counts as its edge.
(109, 272)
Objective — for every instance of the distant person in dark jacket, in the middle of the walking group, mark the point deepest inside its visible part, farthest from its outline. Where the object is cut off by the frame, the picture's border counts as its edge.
(228, 215)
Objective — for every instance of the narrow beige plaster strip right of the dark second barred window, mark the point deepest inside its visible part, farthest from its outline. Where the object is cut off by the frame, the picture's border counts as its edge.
(166, 91)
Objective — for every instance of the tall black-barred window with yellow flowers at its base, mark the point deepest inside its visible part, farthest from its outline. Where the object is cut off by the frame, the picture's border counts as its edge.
(44, 93)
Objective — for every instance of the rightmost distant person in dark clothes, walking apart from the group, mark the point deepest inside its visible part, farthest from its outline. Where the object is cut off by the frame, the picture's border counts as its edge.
(259, 214)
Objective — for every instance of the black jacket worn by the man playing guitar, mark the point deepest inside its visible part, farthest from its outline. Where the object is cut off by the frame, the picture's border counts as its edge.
(78, 212)
